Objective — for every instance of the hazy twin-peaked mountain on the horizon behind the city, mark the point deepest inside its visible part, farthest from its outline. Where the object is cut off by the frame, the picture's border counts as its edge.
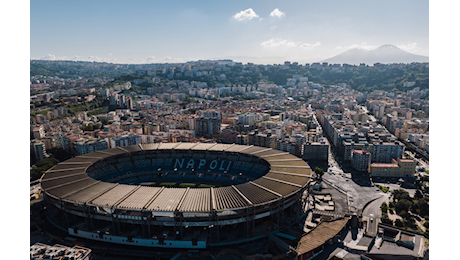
(384, 54)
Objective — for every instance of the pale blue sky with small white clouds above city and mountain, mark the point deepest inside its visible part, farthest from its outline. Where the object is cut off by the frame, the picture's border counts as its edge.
(258, 31)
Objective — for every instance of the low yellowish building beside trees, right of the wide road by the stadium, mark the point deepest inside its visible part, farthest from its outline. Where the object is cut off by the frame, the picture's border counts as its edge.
(398, 168)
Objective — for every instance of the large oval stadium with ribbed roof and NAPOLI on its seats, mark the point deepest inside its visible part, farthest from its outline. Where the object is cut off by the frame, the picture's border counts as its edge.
(235, 193)
